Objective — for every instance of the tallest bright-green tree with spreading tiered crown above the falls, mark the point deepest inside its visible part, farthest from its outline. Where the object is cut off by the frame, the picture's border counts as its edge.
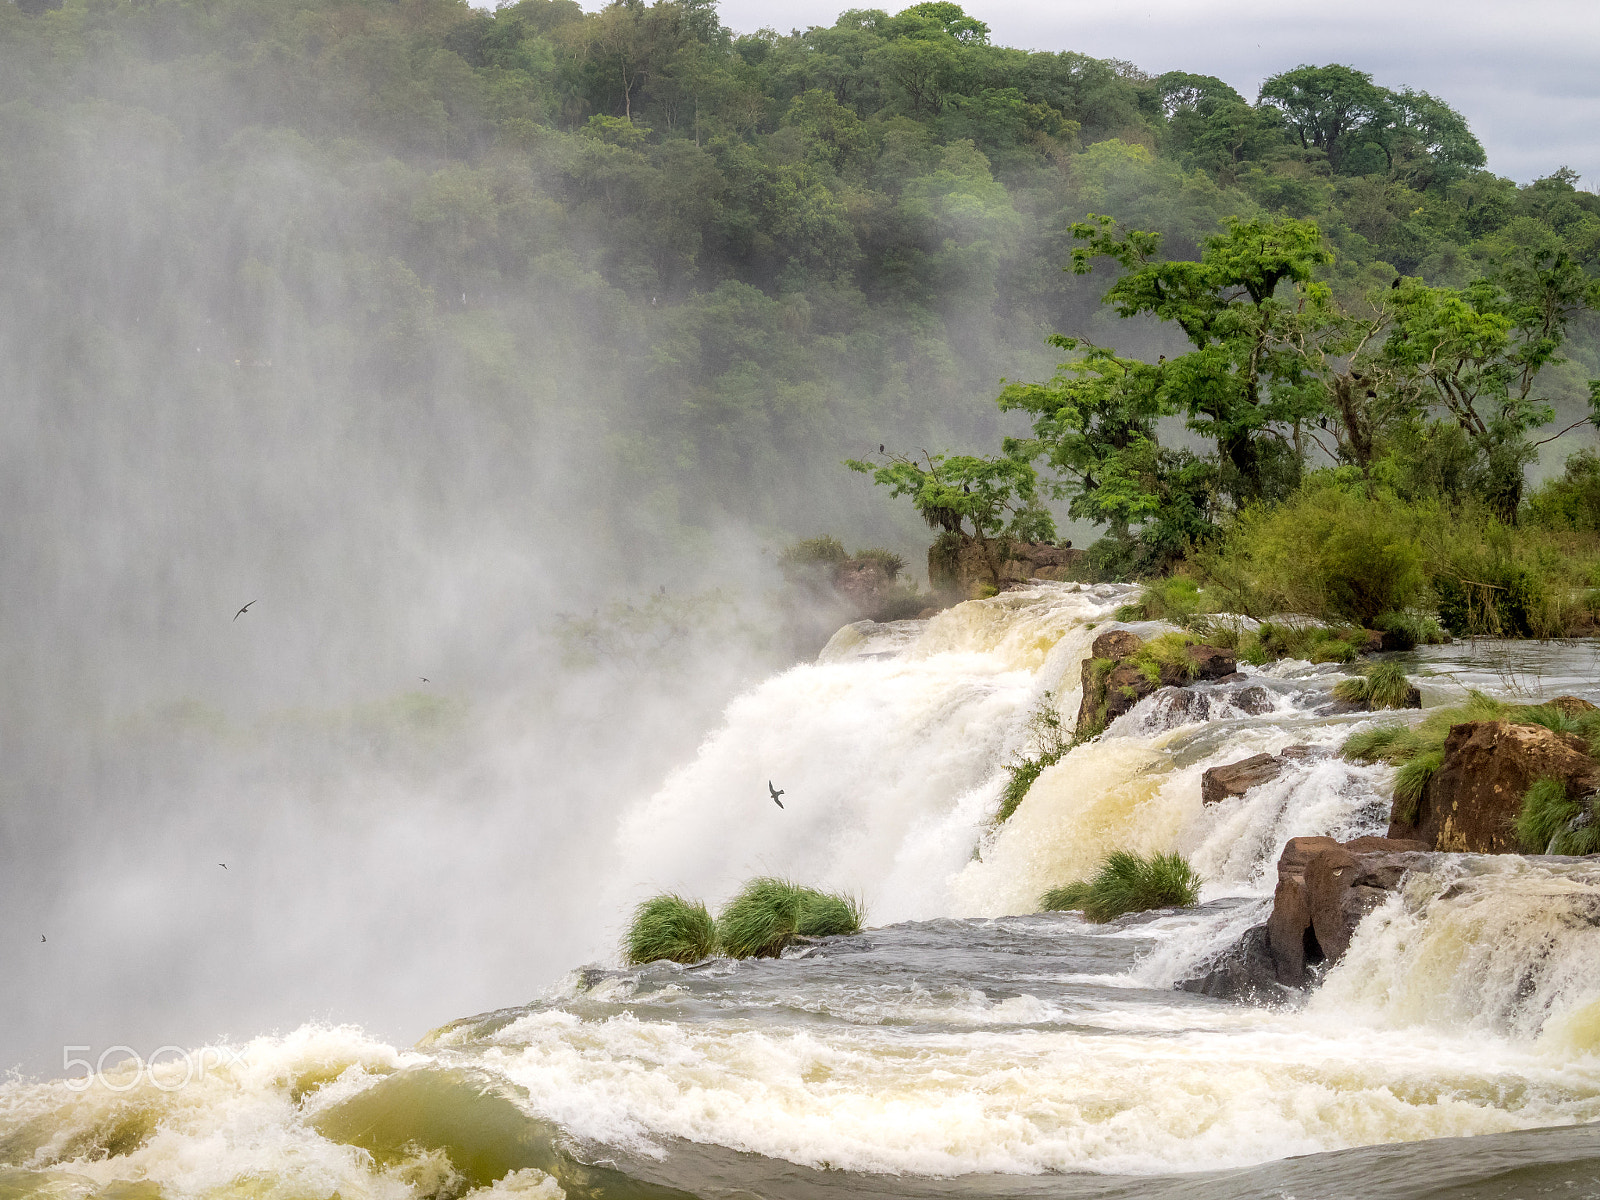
(1241, 386)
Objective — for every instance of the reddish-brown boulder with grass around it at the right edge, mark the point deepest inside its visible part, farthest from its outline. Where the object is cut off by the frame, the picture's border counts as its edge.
(1473, 801)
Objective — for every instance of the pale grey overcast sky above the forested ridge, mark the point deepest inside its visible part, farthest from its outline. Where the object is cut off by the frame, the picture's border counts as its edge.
(1524, 73)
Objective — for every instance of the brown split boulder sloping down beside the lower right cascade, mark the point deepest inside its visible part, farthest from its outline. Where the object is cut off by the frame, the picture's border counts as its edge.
(1326, 889)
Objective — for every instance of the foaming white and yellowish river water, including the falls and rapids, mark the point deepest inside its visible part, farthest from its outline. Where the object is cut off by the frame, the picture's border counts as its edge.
(966, 1046)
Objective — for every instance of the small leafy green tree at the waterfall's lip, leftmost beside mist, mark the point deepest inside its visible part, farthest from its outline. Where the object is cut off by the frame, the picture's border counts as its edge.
(988, 502)
